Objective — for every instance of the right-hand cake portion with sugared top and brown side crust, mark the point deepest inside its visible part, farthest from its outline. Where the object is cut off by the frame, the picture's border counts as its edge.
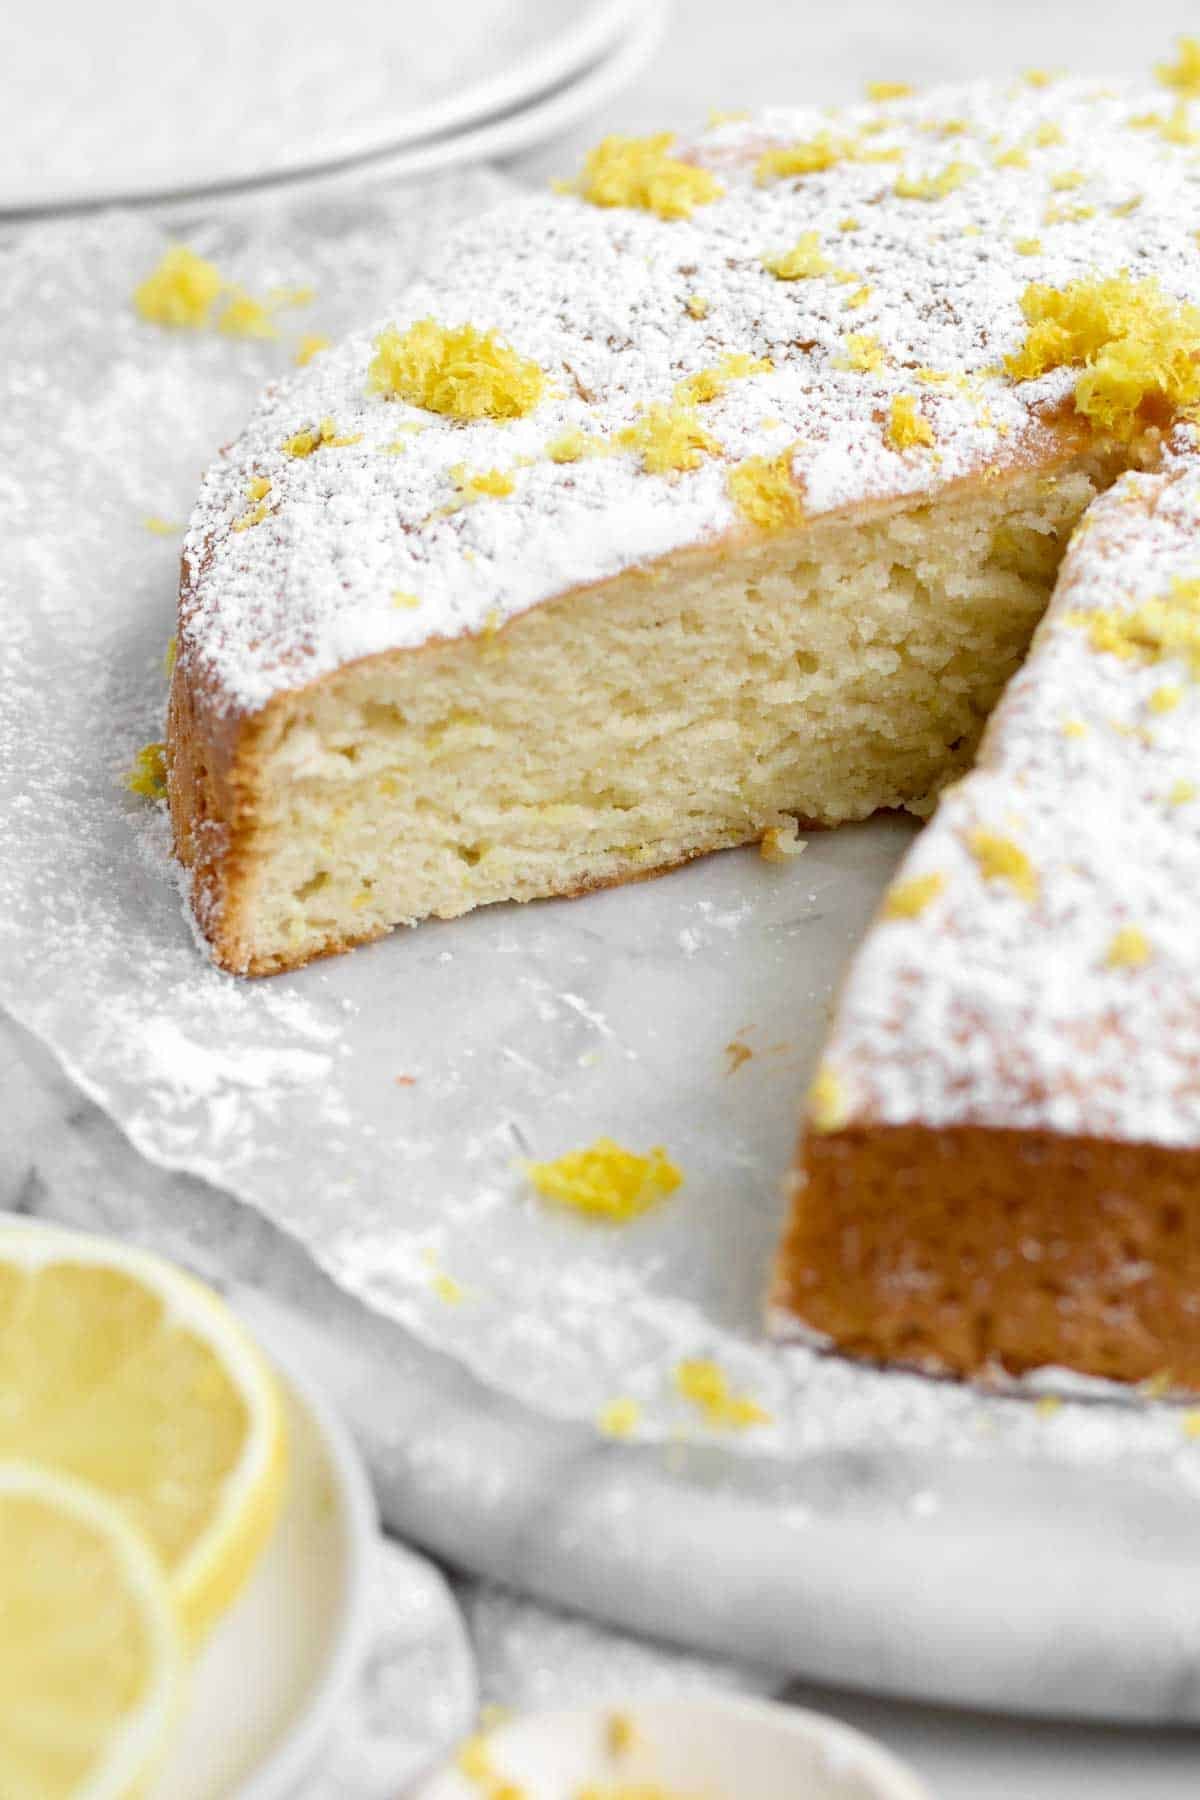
(1003, 1151)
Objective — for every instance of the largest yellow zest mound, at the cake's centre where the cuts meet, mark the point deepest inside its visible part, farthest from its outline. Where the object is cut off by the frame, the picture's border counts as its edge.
(1134, 343)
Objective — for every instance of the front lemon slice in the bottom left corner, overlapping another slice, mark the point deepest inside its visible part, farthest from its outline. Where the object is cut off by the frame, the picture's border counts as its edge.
(91, 1646)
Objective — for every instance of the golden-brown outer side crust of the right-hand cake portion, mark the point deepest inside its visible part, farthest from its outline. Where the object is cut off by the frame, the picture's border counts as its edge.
(972, 1250)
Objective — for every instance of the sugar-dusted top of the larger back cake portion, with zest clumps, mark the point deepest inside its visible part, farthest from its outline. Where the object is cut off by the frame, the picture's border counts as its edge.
(787, 316)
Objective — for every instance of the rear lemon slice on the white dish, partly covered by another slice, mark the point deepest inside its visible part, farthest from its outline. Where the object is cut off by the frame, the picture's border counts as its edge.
(130, 1376)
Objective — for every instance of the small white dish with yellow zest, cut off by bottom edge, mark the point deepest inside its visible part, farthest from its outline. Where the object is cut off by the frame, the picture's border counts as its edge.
(706, 1749)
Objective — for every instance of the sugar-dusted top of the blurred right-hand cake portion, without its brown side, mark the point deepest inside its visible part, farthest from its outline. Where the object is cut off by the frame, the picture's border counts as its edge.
(1037, 962)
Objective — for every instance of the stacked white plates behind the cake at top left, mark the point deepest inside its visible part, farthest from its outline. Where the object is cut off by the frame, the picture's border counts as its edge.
(143, 103)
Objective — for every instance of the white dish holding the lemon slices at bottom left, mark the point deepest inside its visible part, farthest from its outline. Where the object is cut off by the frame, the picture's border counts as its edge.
(283, 1662)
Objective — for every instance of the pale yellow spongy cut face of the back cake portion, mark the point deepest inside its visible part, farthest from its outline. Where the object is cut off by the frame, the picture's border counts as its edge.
(694, 705)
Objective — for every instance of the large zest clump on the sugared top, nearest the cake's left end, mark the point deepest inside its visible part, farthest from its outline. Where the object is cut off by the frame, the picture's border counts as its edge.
(454, 370)
